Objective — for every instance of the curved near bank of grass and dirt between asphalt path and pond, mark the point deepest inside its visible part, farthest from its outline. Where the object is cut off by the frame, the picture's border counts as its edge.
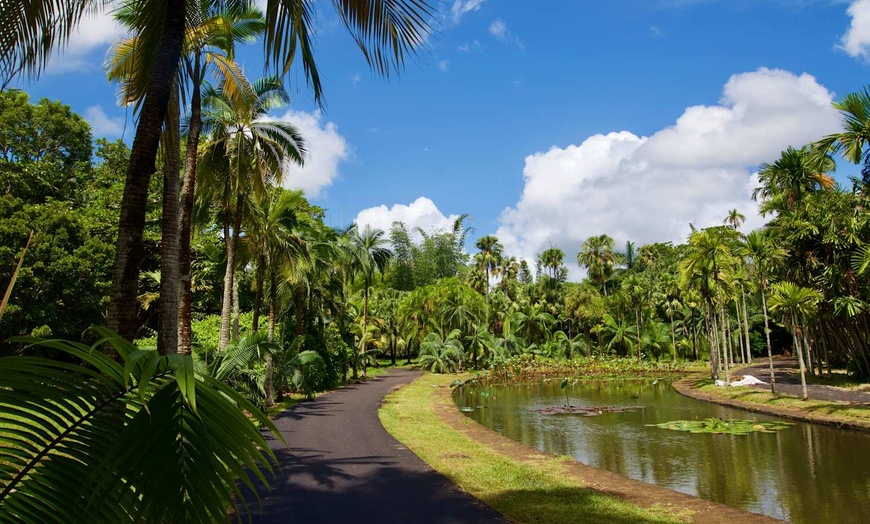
(527, 485)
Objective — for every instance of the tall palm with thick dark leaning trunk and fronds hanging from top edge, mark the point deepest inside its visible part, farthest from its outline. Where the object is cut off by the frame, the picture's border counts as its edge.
(385, 30)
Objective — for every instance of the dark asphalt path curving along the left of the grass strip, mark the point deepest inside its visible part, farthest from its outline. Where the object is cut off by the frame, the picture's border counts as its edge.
(342, 466)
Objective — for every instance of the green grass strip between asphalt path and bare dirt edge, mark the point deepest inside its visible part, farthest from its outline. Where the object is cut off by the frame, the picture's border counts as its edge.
(536, 488)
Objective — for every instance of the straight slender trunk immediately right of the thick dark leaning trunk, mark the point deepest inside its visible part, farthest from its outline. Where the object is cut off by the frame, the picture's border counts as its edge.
(167, 333)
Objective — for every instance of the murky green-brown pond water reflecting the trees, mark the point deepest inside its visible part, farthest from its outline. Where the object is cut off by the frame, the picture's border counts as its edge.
(806, 473)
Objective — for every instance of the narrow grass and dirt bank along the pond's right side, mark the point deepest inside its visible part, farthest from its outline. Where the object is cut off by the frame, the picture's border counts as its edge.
(847, 415)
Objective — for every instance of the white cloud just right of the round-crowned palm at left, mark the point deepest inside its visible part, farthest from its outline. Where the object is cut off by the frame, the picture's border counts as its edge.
(326, 150)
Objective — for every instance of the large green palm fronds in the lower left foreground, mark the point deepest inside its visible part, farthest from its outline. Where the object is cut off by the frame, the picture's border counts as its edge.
(143, 440)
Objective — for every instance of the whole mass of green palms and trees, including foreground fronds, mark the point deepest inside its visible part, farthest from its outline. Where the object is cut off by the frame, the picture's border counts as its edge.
(236, 293)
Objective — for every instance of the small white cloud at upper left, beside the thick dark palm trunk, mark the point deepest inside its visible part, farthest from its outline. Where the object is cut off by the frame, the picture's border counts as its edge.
(96, 32)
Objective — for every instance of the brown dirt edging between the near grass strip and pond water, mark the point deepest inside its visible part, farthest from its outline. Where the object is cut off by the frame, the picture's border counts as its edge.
(692, 509)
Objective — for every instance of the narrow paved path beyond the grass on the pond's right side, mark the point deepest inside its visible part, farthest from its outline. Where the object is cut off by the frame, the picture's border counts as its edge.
(788, 381)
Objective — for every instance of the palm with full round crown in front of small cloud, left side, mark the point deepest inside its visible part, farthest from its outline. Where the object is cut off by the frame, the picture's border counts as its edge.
(245, 153)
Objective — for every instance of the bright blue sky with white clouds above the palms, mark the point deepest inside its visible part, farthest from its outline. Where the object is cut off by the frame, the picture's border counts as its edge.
(549, 122)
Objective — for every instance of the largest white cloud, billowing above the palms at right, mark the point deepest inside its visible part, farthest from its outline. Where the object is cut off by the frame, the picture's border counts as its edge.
(649, 189)
